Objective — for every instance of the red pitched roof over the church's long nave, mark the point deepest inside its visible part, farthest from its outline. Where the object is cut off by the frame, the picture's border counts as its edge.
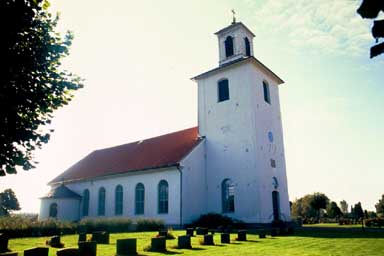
(157, 152)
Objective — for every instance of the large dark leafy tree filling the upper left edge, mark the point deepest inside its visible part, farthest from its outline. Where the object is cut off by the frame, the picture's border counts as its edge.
(32, 85)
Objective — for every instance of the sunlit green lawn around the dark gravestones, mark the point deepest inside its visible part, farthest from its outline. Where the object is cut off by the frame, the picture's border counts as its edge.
(303, 243)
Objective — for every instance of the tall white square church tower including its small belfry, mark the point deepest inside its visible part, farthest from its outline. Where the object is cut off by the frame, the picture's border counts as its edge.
(239, 116)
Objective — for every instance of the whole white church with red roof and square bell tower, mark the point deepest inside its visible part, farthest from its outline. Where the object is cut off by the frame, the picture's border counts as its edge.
(232, 163)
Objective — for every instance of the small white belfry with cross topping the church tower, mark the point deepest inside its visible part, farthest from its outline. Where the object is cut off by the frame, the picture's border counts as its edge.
(235, 41)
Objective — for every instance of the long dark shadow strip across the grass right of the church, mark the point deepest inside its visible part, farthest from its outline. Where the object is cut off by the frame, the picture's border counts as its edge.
(338, 233)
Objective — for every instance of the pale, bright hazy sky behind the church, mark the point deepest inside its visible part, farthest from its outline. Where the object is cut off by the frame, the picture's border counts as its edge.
(138, 57)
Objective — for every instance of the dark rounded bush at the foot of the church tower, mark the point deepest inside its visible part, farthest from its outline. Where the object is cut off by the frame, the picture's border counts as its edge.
(215, 220)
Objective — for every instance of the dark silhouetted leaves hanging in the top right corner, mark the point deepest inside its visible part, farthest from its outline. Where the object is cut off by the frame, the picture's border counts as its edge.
(370, 9)
